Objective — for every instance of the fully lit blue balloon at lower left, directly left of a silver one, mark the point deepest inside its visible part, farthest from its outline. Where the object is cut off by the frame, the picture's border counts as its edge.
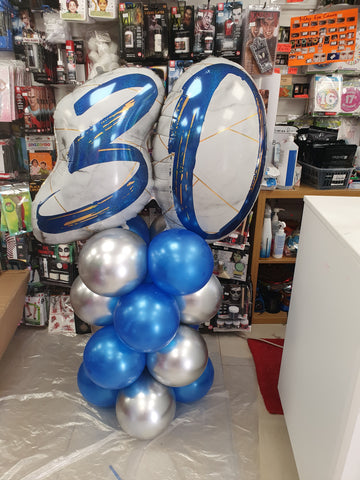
(109, 362)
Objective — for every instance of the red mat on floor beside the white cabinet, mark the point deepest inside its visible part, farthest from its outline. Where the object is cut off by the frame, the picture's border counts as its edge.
(267, 360)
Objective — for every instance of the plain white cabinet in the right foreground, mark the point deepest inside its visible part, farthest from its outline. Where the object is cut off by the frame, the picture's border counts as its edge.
(319, 382)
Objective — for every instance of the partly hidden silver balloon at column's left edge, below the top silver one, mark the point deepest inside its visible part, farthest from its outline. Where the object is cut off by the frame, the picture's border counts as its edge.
(90, 307)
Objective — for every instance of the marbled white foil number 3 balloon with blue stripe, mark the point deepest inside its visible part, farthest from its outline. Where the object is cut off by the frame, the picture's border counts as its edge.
(103, 175)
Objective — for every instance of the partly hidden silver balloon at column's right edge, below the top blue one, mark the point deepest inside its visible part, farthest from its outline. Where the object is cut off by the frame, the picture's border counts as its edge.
(202, 305)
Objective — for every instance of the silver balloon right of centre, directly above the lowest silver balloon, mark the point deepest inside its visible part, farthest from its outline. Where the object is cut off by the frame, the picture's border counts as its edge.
(182, 361)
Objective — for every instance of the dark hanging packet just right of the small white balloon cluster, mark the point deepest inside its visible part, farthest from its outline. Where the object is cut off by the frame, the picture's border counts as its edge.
(132, 41)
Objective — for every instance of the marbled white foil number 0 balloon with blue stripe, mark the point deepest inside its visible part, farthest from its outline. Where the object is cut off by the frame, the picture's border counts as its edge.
(209, 150)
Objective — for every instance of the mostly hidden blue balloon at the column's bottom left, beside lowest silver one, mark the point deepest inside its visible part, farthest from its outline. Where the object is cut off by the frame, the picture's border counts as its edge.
(99, 396)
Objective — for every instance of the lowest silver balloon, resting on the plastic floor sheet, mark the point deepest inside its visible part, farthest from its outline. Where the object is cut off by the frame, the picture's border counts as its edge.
(145, 408)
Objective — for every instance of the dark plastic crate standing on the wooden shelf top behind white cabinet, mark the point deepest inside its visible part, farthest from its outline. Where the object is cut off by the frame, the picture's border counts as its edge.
(325, 178)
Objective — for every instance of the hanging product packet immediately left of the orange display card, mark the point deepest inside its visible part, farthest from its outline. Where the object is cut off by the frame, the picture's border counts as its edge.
(260, 34)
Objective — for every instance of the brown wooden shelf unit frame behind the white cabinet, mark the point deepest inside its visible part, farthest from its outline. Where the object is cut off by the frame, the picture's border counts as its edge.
(256, 261)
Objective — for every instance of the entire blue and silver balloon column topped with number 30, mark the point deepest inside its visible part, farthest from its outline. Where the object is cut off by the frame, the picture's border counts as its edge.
(147, 289)
